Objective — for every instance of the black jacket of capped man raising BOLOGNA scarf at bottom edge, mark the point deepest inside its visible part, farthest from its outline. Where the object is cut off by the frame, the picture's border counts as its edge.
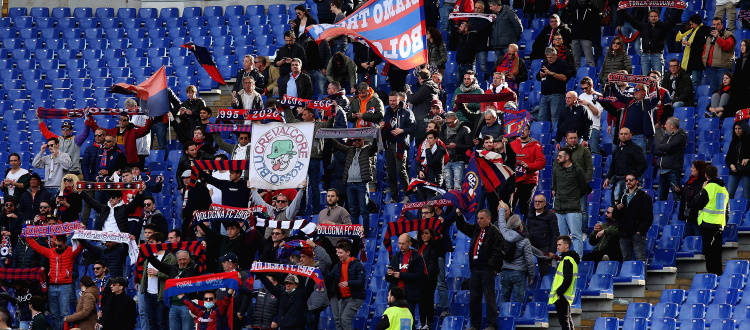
(291, 304)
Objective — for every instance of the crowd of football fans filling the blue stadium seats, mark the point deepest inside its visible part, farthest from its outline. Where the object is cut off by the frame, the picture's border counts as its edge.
(421, 140)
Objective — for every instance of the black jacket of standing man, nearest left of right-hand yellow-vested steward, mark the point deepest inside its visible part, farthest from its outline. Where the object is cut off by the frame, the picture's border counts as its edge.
(636, 216)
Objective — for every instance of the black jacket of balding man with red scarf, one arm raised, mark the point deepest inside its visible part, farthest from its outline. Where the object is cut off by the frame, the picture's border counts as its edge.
(490, 253)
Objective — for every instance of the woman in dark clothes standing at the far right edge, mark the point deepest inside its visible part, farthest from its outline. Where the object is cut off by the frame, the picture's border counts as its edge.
(738, 161)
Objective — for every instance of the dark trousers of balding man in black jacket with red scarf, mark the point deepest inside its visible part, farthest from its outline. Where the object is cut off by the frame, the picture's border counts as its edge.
(482, 283)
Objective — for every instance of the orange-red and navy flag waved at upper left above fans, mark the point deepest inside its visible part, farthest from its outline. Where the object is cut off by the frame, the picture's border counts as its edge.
(153, 93)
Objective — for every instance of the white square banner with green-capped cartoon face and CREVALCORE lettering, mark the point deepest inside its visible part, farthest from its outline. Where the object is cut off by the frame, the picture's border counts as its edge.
(281, 155)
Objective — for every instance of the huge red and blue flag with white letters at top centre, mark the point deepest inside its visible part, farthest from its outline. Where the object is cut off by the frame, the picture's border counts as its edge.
(395, 30)
